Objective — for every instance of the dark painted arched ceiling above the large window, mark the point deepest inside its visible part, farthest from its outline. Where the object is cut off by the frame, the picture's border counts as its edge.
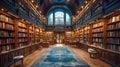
(73, 5)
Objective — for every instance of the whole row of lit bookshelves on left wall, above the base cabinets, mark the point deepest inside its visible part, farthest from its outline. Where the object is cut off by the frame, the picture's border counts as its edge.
(11, 29)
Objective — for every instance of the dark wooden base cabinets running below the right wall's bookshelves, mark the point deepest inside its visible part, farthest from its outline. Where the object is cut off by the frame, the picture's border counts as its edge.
(107, 55)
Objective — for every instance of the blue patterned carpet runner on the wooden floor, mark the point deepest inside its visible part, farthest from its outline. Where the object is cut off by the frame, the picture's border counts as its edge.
(60, 57)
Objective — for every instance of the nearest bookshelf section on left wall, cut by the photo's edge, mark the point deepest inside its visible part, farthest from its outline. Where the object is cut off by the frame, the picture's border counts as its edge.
(7, 37)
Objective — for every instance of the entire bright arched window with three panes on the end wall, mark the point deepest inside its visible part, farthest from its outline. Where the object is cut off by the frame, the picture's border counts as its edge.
(59, 17)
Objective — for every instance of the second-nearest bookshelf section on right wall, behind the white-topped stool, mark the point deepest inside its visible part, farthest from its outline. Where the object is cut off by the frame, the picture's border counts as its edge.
(97, 33)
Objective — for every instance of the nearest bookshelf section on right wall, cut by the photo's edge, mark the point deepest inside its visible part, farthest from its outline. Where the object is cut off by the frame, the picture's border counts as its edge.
(113, 33)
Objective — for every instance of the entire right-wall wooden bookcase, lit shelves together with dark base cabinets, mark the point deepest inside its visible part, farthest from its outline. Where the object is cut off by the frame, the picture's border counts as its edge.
(104, 37)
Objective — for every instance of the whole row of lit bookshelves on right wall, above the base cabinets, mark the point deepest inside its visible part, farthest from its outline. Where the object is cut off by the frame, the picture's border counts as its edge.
(102, 32)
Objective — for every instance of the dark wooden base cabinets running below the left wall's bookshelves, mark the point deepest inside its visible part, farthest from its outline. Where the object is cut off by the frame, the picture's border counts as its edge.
(6, 59)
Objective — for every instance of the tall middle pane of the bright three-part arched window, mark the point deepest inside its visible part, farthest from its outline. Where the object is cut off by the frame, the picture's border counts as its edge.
(59, 18)
